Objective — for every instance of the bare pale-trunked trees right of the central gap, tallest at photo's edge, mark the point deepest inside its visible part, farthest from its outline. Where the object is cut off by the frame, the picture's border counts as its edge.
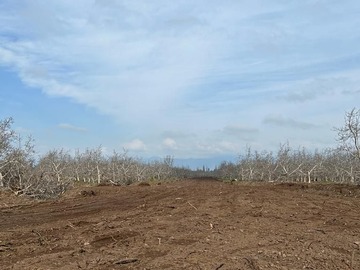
(287, 164)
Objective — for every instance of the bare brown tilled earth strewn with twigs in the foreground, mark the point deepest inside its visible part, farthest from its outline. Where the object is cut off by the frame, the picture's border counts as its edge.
(189, 224)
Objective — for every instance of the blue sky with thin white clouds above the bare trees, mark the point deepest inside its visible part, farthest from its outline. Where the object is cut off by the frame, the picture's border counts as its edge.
(191, 79)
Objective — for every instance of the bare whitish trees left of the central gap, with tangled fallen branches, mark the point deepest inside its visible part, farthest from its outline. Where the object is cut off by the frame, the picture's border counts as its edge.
(50, 175)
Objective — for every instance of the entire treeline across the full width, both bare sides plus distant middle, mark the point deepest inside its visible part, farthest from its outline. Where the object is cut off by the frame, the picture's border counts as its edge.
(50, 175)
